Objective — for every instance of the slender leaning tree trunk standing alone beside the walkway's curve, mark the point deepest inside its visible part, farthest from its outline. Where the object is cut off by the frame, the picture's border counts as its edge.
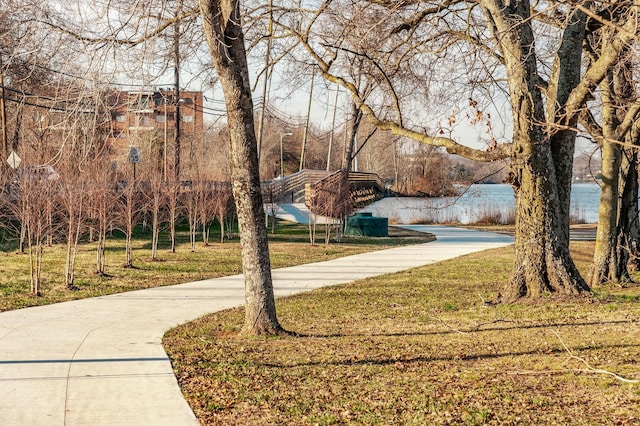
(222, 26)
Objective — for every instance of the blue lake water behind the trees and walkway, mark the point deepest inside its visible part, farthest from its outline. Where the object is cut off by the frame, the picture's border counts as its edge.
(478, 202)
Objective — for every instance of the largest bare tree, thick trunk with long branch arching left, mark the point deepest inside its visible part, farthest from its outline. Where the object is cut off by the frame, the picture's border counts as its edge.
(501, 40)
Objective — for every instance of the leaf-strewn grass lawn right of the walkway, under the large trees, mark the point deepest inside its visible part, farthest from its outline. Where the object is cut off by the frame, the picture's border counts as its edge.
(420, 347)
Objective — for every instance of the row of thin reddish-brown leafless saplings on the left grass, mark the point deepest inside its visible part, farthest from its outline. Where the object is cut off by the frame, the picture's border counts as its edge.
(41, 209)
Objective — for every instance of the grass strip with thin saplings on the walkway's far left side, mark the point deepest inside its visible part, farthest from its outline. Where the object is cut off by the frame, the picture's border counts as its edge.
(288, 246)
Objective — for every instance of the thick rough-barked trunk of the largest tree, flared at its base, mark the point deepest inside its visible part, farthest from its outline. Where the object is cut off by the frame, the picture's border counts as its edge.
(542, 260)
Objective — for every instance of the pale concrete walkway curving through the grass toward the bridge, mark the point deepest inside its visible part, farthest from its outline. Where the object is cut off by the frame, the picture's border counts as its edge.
(100, 361)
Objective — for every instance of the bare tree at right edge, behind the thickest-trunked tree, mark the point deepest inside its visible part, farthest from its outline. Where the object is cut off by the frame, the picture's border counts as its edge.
(617, 235)
